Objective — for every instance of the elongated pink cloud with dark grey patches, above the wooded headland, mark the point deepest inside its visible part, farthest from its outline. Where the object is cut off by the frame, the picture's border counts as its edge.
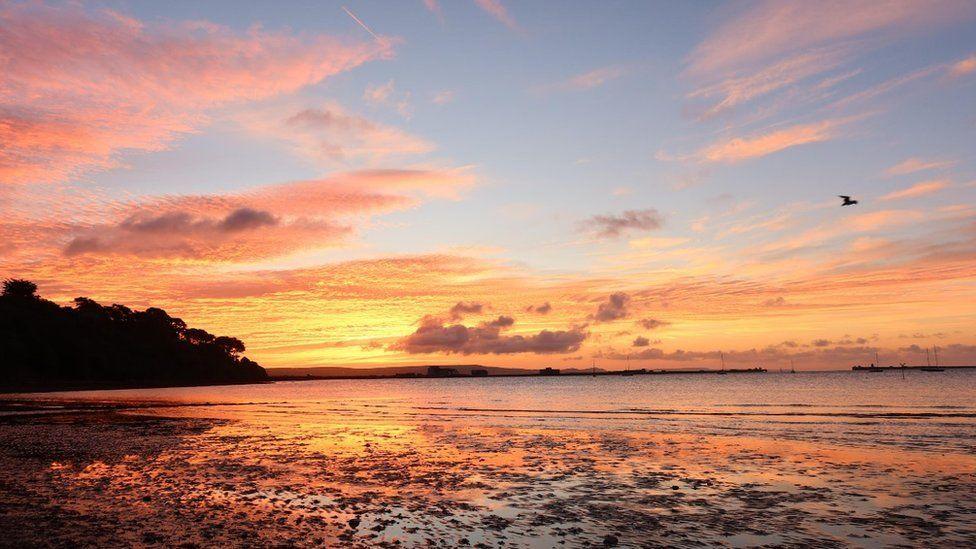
(261, 223)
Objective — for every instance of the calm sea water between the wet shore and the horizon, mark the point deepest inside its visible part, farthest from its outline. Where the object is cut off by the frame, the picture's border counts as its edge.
(923, 410)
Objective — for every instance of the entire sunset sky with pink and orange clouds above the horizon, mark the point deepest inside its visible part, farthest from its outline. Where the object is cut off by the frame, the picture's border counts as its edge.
(527, 184)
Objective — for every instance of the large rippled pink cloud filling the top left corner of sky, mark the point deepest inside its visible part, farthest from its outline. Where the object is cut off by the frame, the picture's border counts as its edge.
(78, 86)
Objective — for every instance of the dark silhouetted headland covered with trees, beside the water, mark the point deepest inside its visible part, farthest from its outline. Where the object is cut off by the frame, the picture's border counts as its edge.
(44, 346)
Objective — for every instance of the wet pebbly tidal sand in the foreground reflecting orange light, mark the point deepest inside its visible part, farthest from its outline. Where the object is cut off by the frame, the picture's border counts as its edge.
(211, 476)
